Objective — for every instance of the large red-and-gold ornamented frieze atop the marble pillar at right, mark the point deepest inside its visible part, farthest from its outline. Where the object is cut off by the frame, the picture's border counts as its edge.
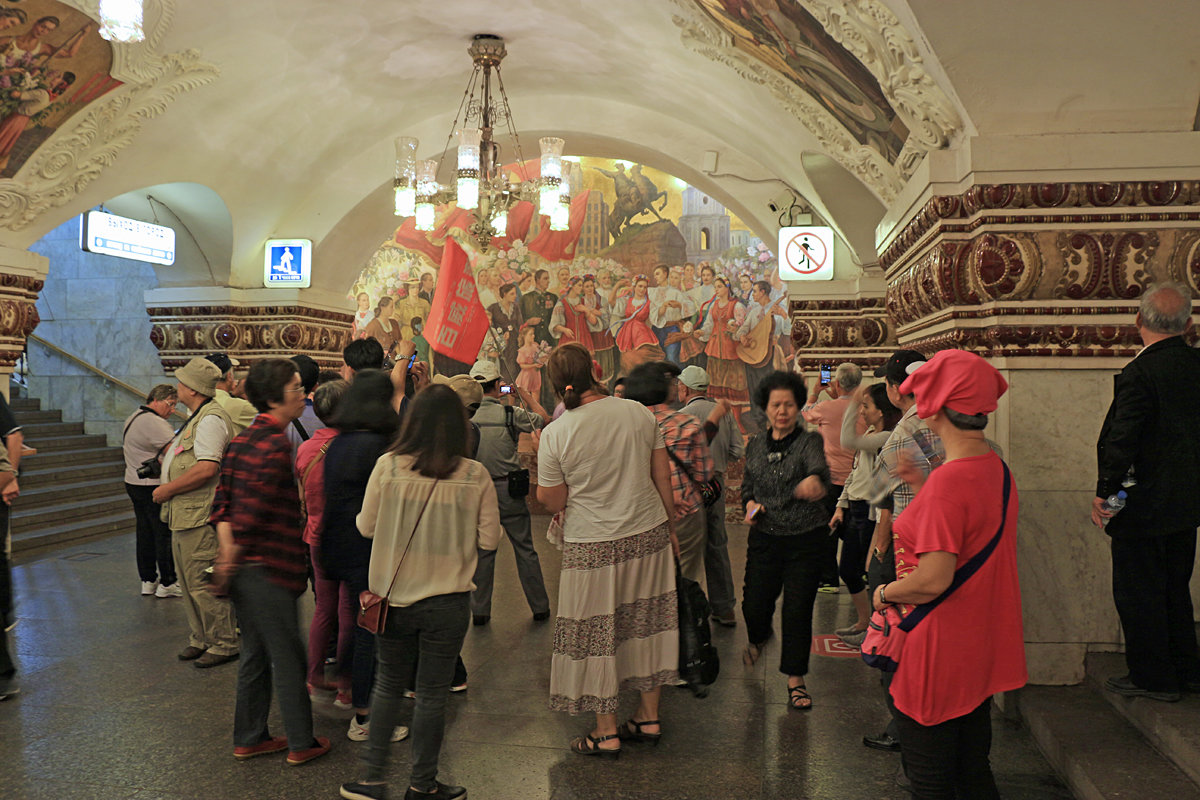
(971, 270)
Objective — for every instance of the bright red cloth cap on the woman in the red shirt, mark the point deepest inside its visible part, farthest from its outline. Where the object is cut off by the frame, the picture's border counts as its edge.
(958, 381)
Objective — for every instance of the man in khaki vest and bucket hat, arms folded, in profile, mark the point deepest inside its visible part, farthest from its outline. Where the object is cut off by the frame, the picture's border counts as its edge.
(190, 471)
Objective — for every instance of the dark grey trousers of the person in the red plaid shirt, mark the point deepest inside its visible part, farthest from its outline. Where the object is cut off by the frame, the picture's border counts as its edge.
(272, 657)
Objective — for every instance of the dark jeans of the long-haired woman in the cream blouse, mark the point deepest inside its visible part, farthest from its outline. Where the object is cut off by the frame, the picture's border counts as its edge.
(434, 630)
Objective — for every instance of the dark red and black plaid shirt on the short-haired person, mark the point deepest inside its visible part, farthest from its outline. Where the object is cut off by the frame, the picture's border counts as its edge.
(257, 496)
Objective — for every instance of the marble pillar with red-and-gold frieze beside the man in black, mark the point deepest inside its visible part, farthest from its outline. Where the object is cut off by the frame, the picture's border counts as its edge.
(1045, 279)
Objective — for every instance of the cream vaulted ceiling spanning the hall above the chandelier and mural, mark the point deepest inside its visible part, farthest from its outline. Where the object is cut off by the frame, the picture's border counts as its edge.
(295, 136)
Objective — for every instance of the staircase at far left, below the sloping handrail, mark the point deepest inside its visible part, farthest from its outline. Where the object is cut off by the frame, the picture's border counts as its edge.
(73, 491)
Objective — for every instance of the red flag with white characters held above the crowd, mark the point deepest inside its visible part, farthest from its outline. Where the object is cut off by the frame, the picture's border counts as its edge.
(458, 322)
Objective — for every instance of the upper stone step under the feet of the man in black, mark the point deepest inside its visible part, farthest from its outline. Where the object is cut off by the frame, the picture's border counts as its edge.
(1173, 729)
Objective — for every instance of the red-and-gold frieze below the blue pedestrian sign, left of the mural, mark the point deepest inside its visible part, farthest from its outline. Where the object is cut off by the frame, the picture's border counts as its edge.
(249, 333)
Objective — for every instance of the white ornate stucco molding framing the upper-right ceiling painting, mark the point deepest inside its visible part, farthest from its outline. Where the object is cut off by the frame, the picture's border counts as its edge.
(878, 39)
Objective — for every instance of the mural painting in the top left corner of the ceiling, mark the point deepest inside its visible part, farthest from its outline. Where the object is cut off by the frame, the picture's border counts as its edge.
(52, 64)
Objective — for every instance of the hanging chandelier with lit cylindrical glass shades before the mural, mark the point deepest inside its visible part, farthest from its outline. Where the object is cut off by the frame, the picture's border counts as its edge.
(482, 184)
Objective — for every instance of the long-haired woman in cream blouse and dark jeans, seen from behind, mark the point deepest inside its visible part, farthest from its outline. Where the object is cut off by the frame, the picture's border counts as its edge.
(429, 509)
